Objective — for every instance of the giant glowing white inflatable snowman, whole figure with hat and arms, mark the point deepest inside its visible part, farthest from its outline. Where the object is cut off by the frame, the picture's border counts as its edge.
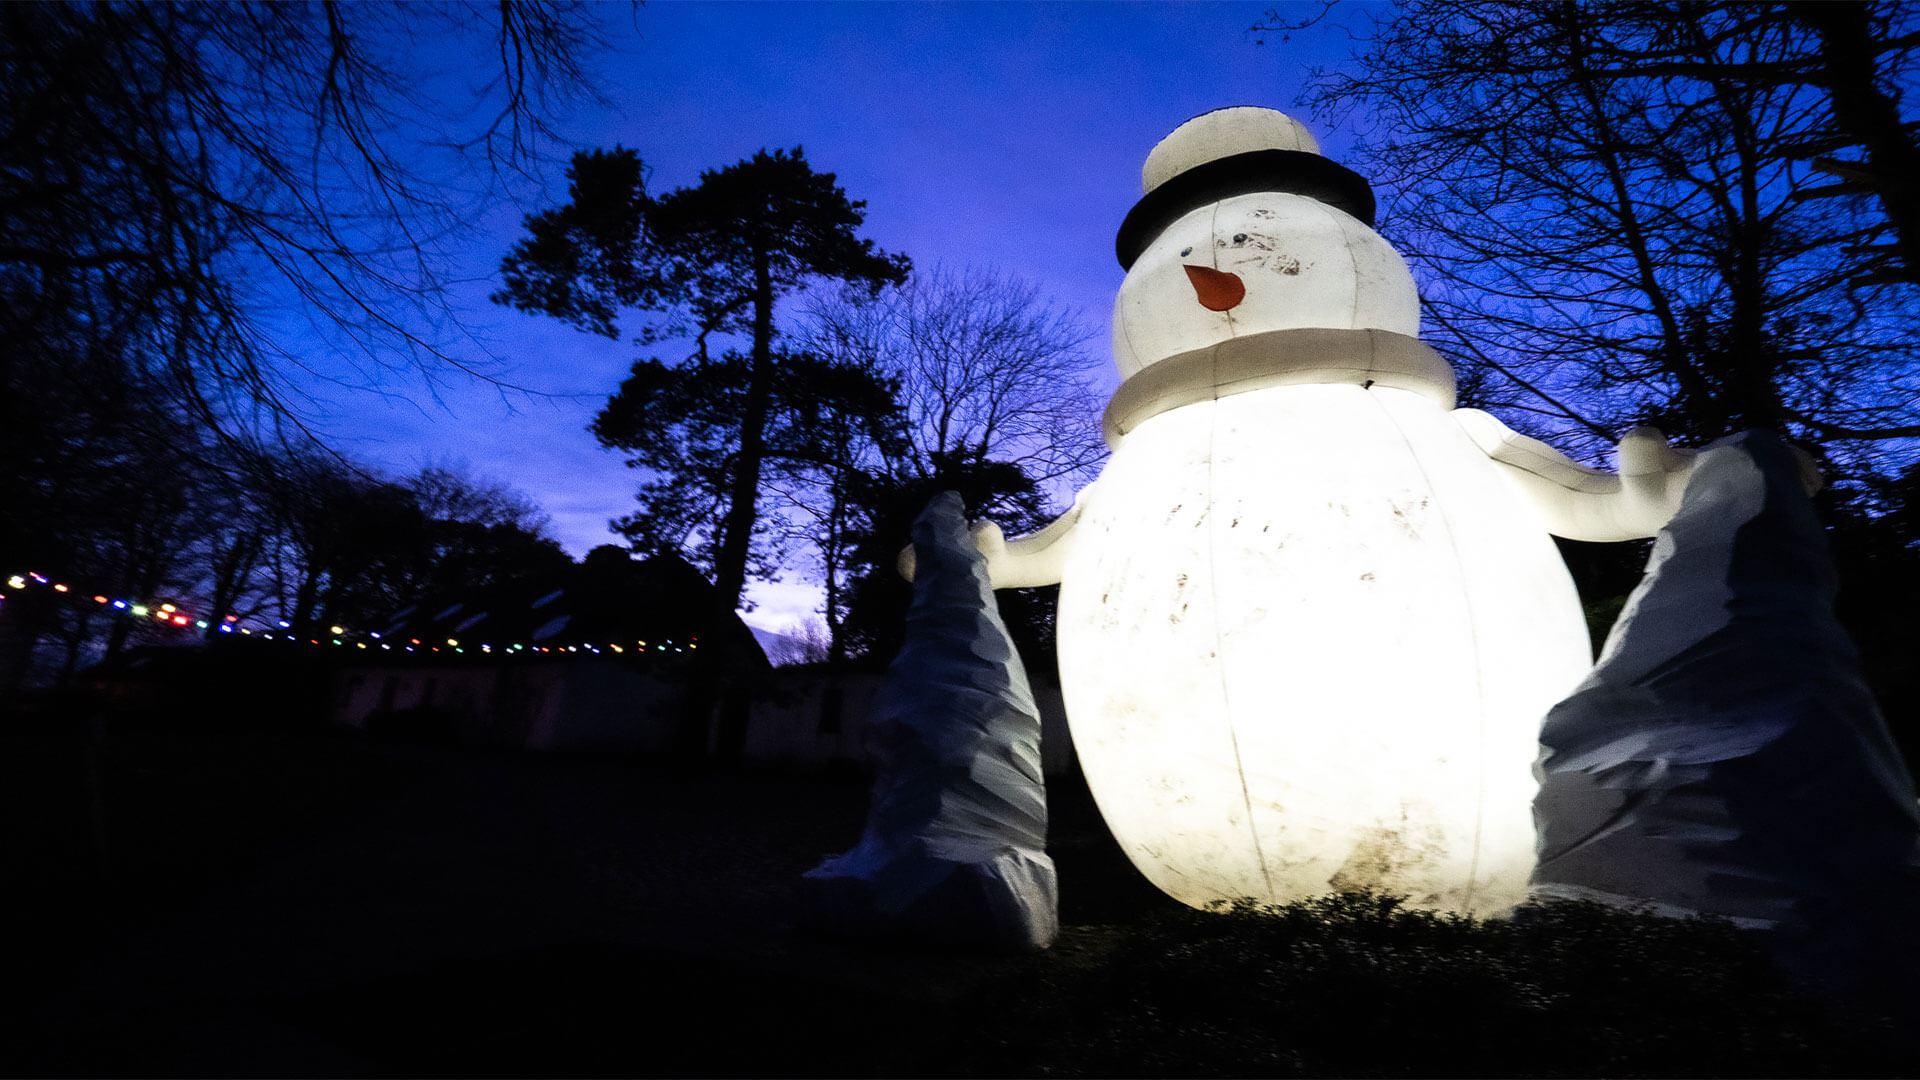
(1310, 614)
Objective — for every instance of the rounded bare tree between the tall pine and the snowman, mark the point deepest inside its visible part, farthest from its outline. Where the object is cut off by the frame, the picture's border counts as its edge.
(994, 383)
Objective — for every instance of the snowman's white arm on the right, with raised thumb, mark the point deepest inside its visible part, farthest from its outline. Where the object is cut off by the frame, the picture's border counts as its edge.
(1587, 504)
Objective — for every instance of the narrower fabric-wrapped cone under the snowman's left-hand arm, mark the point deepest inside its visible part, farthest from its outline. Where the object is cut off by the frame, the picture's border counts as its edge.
(955, 843)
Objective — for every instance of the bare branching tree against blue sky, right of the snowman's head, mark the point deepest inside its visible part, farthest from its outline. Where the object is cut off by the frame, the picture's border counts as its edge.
(1618, 214)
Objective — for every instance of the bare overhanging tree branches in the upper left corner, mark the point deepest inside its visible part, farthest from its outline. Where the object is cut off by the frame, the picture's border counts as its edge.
(180, 172)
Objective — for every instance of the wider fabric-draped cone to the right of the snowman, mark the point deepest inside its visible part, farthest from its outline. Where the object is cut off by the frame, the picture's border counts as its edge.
(1727, 756)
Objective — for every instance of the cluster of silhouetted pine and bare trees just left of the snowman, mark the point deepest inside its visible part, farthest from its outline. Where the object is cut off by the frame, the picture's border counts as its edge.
(840, 418)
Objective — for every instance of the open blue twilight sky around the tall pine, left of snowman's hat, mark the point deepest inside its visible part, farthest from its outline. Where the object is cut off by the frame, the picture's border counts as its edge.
(996, 135)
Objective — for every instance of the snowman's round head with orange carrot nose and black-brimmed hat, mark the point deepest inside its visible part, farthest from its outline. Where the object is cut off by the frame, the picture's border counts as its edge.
(1243, 230)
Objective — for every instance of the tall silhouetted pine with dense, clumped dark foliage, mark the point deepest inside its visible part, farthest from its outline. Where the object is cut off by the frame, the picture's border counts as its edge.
(709, 260)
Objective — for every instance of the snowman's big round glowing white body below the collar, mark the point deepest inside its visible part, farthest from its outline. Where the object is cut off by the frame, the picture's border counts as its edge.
(1301, 654)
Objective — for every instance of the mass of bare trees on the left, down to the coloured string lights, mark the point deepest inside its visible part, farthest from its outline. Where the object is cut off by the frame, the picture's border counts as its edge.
(199, 205)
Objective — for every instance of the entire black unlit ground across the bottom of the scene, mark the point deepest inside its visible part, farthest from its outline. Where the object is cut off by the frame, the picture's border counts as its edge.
(189, 902)
